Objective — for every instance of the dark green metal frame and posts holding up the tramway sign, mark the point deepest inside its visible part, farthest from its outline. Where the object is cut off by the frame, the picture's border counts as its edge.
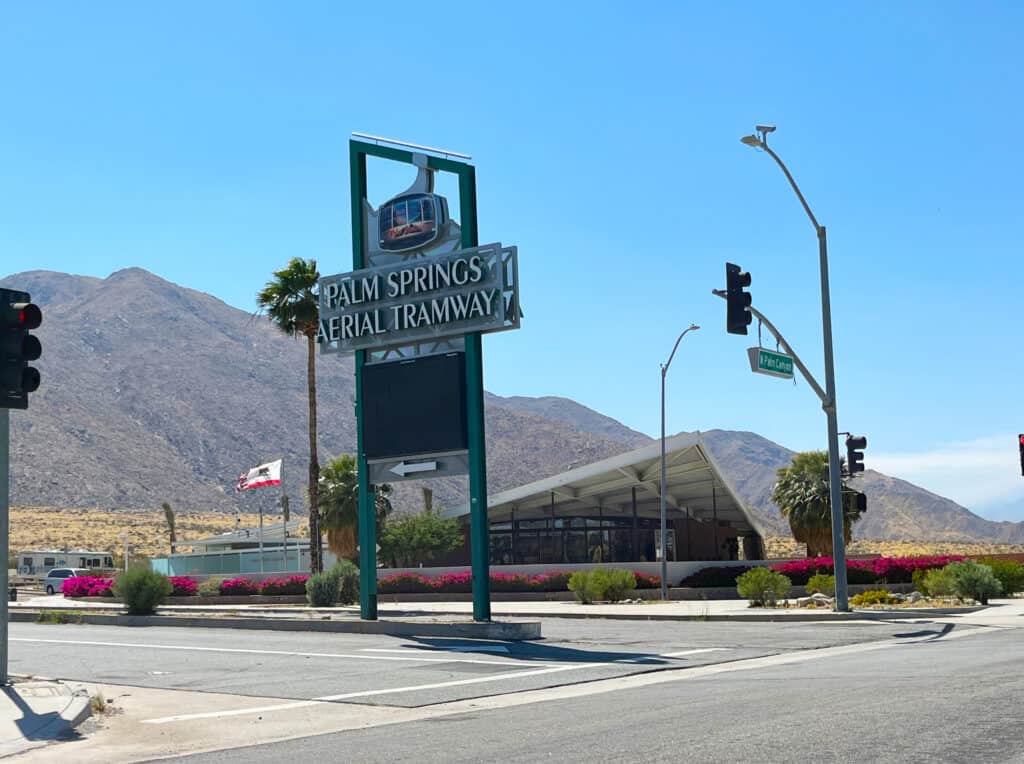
(480, 540)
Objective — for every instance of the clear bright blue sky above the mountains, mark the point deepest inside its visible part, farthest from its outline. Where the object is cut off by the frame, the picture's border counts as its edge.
(208, 143)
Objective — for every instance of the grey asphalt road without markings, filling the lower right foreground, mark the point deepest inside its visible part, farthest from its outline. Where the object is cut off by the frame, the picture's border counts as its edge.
(933, 699)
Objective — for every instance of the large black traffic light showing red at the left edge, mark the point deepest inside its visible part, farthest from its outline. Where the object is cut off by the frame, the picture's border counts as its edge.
(18, 317)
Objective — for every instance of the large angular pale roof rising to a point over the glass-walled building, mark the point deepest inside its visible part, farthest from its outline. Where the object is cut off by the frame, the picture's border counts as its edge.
(694, 484)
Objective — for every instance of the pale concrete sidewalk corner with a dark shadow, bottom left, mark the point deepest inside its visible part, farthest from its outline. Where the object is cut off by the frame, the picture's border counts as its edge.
(35, 713)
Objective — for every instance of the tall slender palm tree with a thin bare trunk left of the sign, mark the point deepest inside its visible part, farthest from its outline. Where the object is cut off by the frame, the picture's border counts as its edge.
(292, 304)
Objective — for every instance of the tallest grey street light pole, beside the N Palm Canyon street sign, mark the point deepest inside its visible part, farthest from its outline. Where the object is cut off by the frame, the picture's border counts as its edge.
(835, 478)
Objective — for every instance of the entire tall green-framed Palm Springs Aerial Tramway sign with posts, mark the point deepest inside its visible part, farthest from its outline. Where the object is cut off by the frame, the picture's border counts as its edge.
(420, 294)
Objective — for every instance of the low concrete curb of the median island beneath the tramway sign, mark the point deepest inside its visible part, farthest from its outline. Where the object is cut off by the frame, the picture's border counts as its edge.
(508, 631)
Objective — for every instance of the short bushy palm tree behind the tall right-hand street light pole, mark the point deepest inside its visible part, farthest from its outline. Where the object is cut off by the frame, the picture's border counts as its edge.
(802, 496)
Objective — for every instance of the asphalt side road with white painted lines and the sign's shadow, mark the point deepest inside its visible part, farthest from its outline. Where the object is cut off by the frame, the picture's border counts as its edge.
(402, 672)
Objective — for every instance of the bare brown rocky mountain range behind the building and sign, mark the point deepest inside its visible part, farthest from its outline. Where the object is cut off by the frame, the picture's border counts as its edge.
(155, 393)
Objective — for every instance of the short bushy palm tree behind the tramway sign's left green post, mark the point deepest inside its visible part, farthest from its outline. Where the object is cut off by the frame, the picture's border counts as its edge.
(339, 501)
